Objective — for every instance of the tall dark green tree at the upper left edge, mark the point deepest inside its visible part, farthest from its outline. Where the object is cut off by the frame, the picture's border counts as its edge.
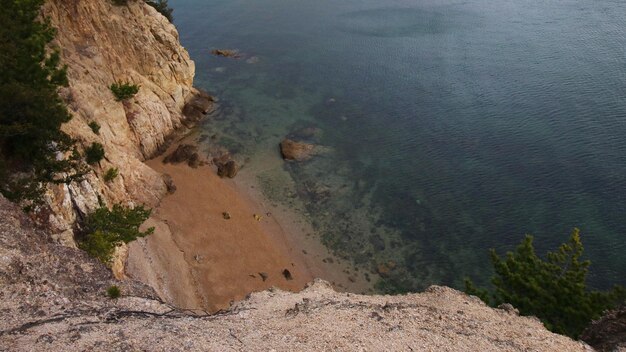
(31, 112)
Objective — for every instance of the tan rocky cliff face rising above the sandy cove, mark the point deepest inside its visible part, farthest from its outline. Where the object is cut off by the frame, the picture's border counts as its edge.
(103, 44)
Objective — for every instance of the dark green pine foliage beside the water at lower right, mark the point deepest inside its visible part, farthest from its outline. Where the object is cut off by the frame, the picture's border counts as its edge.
(554, 289)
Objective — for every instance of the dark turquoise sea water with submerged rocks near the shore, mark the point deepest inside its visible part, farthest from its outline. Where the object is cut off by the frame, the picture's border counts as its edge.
(452, 127)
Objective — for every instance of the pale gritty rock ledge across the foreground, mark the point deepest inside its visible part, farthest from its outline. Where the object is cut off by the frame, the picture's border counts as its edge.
(52, 299)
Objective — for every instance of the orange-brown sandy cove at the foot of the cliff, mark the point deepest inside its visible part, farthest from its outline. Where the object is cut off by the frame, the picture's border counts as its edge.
(197, 259)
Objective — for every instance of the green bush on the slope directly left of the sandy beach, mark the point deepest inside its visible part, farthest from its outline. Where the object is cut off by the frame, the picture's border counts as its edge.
(105, 229)
